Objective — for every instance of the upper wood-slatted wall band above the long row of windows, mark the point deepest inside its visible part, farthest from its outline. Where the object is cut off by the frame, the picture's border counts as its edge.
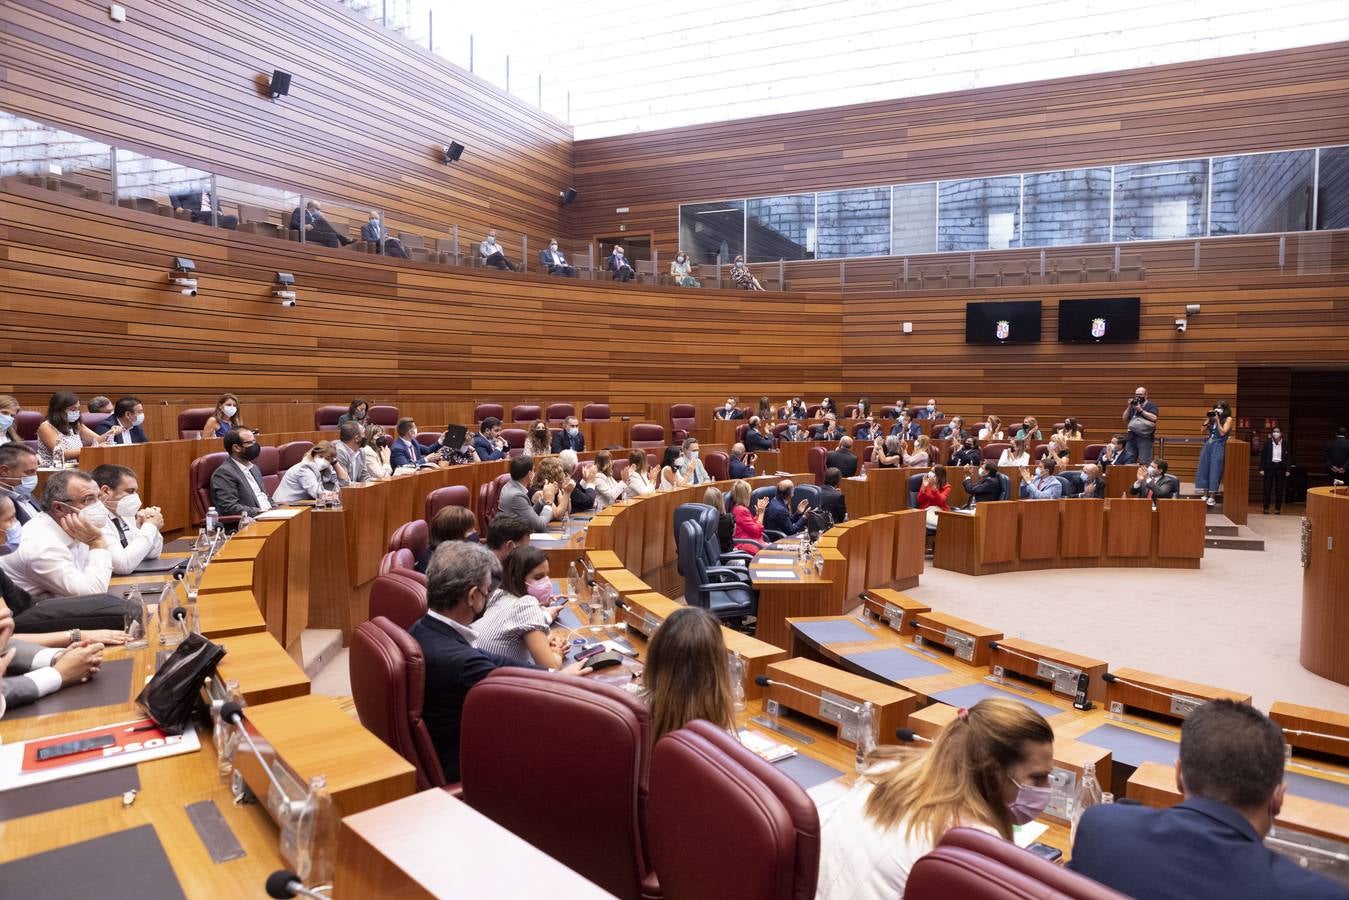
(1261, 102)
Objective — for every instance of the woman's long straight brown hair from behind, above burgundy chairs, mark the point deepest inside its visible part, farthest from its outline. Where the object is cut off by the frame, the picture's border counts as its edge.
(689, 674)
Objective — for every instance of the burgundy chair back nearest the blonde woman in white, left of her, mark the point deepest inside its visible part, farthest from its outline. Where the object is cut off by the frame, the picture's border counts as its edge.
(721, 822)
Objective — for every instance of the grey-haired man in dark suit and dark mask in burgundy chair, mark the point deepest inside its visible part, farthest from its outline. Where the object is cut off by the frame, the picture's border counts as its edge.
(459, 582)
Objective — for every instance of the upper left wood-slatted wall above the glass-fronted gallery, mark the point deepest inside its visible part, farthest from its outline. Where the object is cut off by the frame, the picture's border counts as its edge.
(365, 121)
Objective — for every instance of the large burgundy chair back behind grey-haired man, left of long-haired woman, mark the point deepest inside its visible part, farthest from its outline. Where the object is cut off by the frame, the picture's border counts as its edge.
(597, 733)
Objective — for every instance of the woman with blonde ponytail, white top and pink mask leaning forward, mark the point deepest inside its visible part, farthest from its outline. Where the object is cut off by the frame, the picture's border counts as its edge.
(988, 770)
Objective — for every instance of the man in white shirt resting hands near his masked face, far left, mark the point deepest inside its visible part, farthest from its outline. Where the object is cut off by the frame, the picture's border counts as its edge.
(63, 551)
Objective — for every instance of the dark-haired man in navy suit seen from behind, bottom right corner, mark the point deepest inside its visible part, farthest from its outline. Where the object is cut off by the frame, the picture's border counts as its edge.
(1231, 772)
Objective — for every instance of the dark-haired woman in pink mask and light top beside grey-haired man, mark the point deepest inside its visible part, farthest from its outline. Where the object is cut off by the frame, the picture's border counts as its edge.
(519, 617)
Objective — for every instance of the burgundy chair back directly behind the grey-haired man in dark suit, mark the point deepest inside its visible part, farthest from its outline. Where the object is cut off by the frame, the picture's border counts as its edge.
(389, 687)
